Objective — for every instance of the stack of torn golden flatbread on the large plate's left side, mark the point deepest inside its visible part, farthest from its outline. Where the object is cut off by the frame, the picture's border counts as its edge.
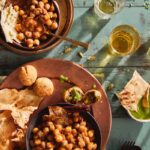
(16, 108)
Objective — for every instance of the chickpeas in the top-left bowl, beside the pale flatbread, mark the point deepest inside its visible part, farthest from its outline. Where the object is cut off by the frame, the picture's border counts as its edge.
(35, 22)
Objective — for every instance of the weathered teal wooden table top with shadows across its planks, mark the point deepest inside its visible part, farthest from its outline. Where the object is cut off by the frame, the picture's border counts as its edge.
(111, 71)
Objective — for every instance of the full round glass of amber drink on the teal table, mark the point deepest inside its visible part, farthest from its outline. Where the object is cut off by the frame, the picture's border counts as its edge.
(124, 40)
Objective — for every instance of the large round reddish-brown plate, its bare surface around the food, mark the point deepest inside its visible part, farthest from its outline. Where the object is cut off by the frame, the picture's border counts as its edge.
(53, 68)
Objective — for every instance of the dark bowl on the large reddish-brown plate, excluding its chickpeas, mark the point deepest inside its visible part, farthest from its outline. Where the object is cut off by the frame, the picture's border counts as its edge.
(37, 117)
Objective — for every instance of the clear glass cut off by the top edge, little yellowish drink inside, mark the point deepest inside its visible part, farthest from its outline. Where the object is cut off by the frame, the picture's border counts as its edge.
(106, 8)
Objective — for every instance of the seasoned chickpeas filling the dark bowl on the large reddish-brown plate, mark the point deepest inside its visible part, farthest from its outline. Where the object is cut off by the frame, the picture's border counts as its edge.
(63, 130)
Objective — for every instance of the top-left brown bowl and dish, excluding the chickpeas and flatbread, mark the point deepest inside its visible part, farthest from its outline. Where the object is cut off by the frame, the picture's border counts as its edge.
(65, 12)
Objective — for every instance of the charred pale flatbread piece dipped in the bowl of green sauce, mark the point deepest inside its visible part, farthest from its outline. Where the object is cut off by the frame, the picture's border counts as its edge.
(133, 92)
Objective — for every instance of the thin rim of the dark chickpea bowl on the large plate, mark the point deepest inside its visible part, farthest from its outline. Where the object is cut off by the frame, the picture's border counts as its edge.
(36, 112)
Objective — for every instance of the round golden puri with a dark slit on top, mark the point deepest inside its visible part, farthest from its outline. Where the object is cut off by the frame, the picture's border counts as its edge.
(27, 75)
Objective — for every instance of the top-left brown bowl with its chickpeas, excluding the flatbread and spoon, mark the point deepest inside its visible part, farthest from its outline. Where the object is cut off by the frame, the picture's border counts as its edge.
(36, 19)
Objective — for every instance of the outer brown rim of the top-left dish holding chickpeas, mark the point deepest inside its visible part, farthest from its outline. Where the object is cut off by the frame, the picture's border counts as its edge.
(24, 52)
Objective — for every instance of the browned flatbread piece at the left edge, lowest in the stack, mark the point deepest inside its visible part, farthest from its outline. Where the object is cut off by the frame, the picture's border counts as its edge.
(7, 126)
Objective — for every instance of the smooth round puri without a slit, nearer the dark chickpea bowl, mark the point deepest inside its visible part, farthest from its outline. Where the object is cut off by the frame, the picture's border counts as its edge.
(43, 87)
